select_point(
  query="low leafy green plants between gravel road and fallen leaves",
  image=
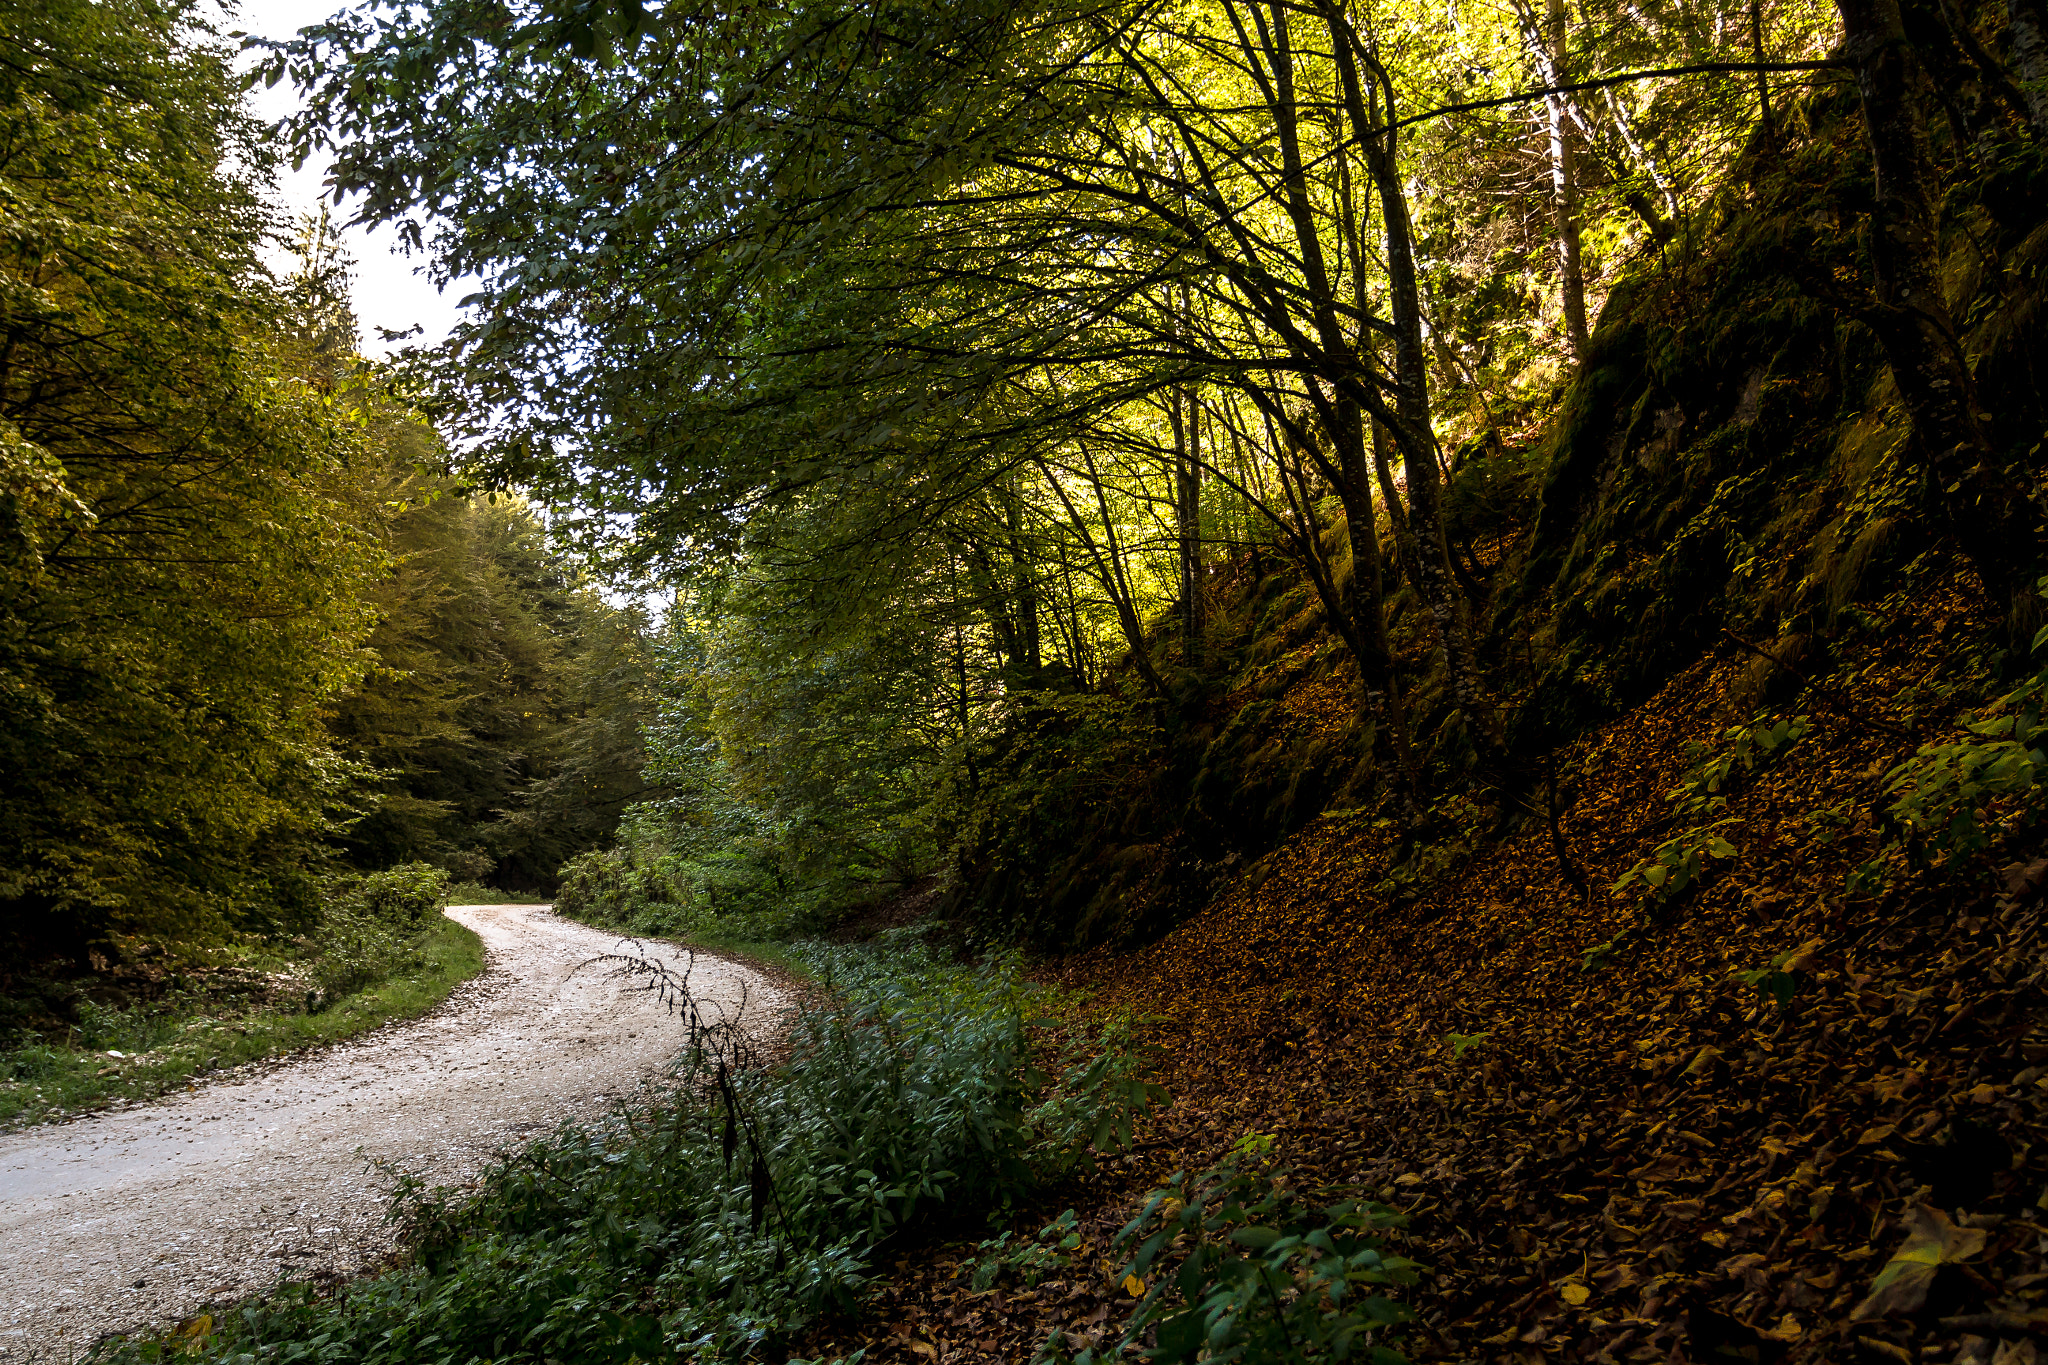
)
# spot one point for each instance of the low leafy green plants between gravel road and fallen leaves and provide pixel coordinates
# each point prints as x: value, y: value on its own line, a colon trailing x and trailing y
x: 734, y: 1213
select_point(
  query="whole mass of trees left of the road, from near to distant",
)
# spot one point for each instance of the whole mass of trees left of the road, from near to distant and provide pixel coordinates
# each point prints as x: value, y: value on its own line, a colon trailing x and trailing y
x: 212, y: 515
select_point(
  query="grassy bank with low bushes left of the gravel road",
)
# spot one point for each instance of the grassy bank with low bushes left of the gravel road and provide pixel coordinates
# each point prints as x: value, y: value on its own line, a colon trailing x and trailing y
x: 163, y: 1022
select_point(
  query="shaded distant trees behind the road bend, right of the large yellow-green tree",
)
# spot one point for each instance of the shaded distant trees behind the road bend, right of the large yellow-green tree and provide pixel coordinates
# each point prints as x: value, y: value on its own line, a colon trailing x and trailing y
x: 503, y: 721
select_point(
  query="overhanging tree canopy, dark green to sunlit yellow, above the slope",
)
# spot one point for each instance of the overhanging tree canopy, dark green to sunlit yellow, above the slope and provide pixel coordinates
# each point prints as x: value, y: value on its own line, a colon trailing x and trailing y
x: 933, y: 263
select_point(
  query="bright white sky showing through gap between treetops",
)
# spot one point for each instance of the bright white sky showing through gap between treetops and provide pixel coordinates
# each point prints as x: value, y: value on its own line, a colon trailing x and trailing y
x: 392, y: 290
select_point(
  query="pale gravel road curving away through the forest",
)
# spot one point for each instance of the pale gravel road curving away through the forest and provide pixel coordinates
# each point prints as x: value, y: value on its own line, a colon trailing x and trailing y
x: 132, y: 1219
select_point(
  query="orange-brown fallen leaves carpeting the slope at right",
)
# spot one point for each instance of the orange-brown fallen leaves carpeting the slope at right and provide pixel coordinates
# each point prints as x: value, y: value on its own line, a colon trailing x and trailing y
x: 1777, y: 1122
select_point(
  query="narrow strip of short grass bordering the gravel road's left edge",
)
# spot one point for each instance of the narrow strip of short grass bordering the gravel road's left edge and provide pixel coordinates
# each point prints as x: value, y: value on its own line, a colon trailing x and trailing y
x: 169, y: 1051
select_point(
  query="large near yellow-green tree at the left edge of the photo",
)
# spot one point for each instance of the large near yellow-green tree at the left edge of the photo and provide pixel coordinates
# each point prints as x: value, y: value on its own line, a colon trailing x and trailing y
x: 185, y: 547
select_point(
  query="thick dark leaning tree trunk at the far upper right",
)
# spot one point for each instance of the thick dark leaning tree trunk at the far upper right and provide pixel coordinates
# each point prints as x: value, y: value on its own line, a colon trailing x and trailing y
x: 1965, y: 482
